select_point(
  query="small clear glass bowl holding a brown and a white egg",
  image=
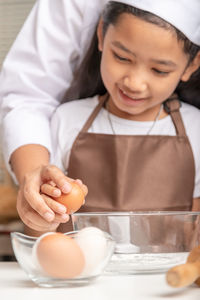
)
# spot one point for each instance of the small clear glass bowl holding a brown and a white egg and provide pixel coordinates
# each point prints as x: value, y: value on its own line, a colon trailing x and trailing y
x: 23, y: 250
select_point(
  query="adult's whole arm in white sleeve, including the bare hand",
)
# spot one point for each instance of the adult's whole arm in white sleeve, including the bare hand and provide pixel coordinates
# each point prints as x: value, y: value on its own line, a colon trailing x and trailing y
x: 34, y: 78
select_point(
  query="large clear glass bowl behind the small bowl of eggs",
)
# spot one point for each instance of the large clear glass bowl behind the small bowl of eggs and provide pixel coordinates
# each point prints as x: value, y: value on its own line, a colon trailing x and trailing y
x: 146, y: 242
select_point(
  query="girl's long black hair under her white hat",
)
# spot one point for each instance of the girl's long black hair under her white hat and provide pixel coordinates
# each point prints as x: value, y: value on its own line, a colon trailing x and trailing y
x: 87, y: 80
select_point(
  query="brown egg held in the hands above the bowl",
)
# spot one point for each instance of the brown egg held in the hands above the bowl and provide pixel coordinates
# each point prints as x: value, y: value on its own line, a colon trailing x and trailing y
x: 74, y: 200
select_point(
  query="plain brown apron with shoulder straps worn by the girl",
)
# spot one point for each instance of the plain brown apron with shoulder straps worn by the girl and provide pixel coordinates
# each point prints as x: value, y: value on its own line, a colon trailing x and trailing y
x: 134, y: 172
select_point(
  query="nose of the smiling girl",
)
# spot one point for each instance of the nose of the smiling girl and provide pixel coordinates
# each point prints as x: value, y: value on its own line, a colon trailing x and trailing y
x: 135, y: 83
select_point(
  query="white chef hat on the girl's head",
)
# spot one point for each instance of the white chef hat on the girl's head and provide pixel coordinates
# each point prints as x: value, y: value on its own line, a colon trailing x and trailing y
x: 183, y: 14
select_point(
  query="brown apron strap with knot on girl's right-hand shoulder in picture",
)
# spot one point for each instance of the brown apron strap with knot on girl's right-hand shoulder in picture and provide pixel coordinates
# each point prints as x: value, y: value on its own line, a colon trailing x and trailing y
x: 172, y: 106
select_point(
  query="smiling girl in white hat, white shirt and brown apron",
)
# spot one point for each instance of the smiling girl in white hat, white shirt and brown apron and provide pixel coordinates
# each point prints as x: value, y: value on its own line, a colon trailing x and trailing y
x: 132, y: 141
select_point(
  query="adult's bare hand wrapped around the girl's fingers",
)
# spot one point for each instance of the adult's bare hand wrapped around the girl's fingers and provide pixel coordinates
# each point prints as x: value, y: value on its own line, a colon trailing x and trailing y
x: 38, y: 211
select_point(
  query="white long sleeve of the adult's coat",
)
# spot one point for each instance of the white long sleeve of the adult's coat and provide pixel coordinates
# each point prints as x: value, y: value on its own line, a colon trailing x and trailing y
x: 39, y: 67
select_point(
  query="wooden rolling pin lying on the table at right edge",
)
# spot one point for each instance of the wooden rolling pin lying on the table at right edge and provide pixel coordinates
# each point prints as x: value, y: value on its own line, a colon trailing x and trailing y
x: 188, y: 273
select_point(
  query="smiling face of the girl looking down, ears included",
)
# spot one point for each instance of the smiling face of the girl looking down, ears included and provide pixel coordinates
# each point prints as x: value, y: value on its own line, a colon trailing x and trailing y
x: 141, y: 66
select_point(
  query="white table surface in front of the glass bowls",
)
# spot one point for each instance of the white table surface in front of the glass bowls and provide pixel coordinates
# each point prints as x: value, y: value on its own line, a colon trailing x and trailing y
x: 15, y: 284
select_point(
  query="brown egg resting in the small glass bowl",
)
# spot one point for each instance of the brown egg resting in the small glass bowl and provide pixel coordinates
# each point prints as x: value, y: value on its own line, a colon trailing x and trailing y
x: 59, y: 256
